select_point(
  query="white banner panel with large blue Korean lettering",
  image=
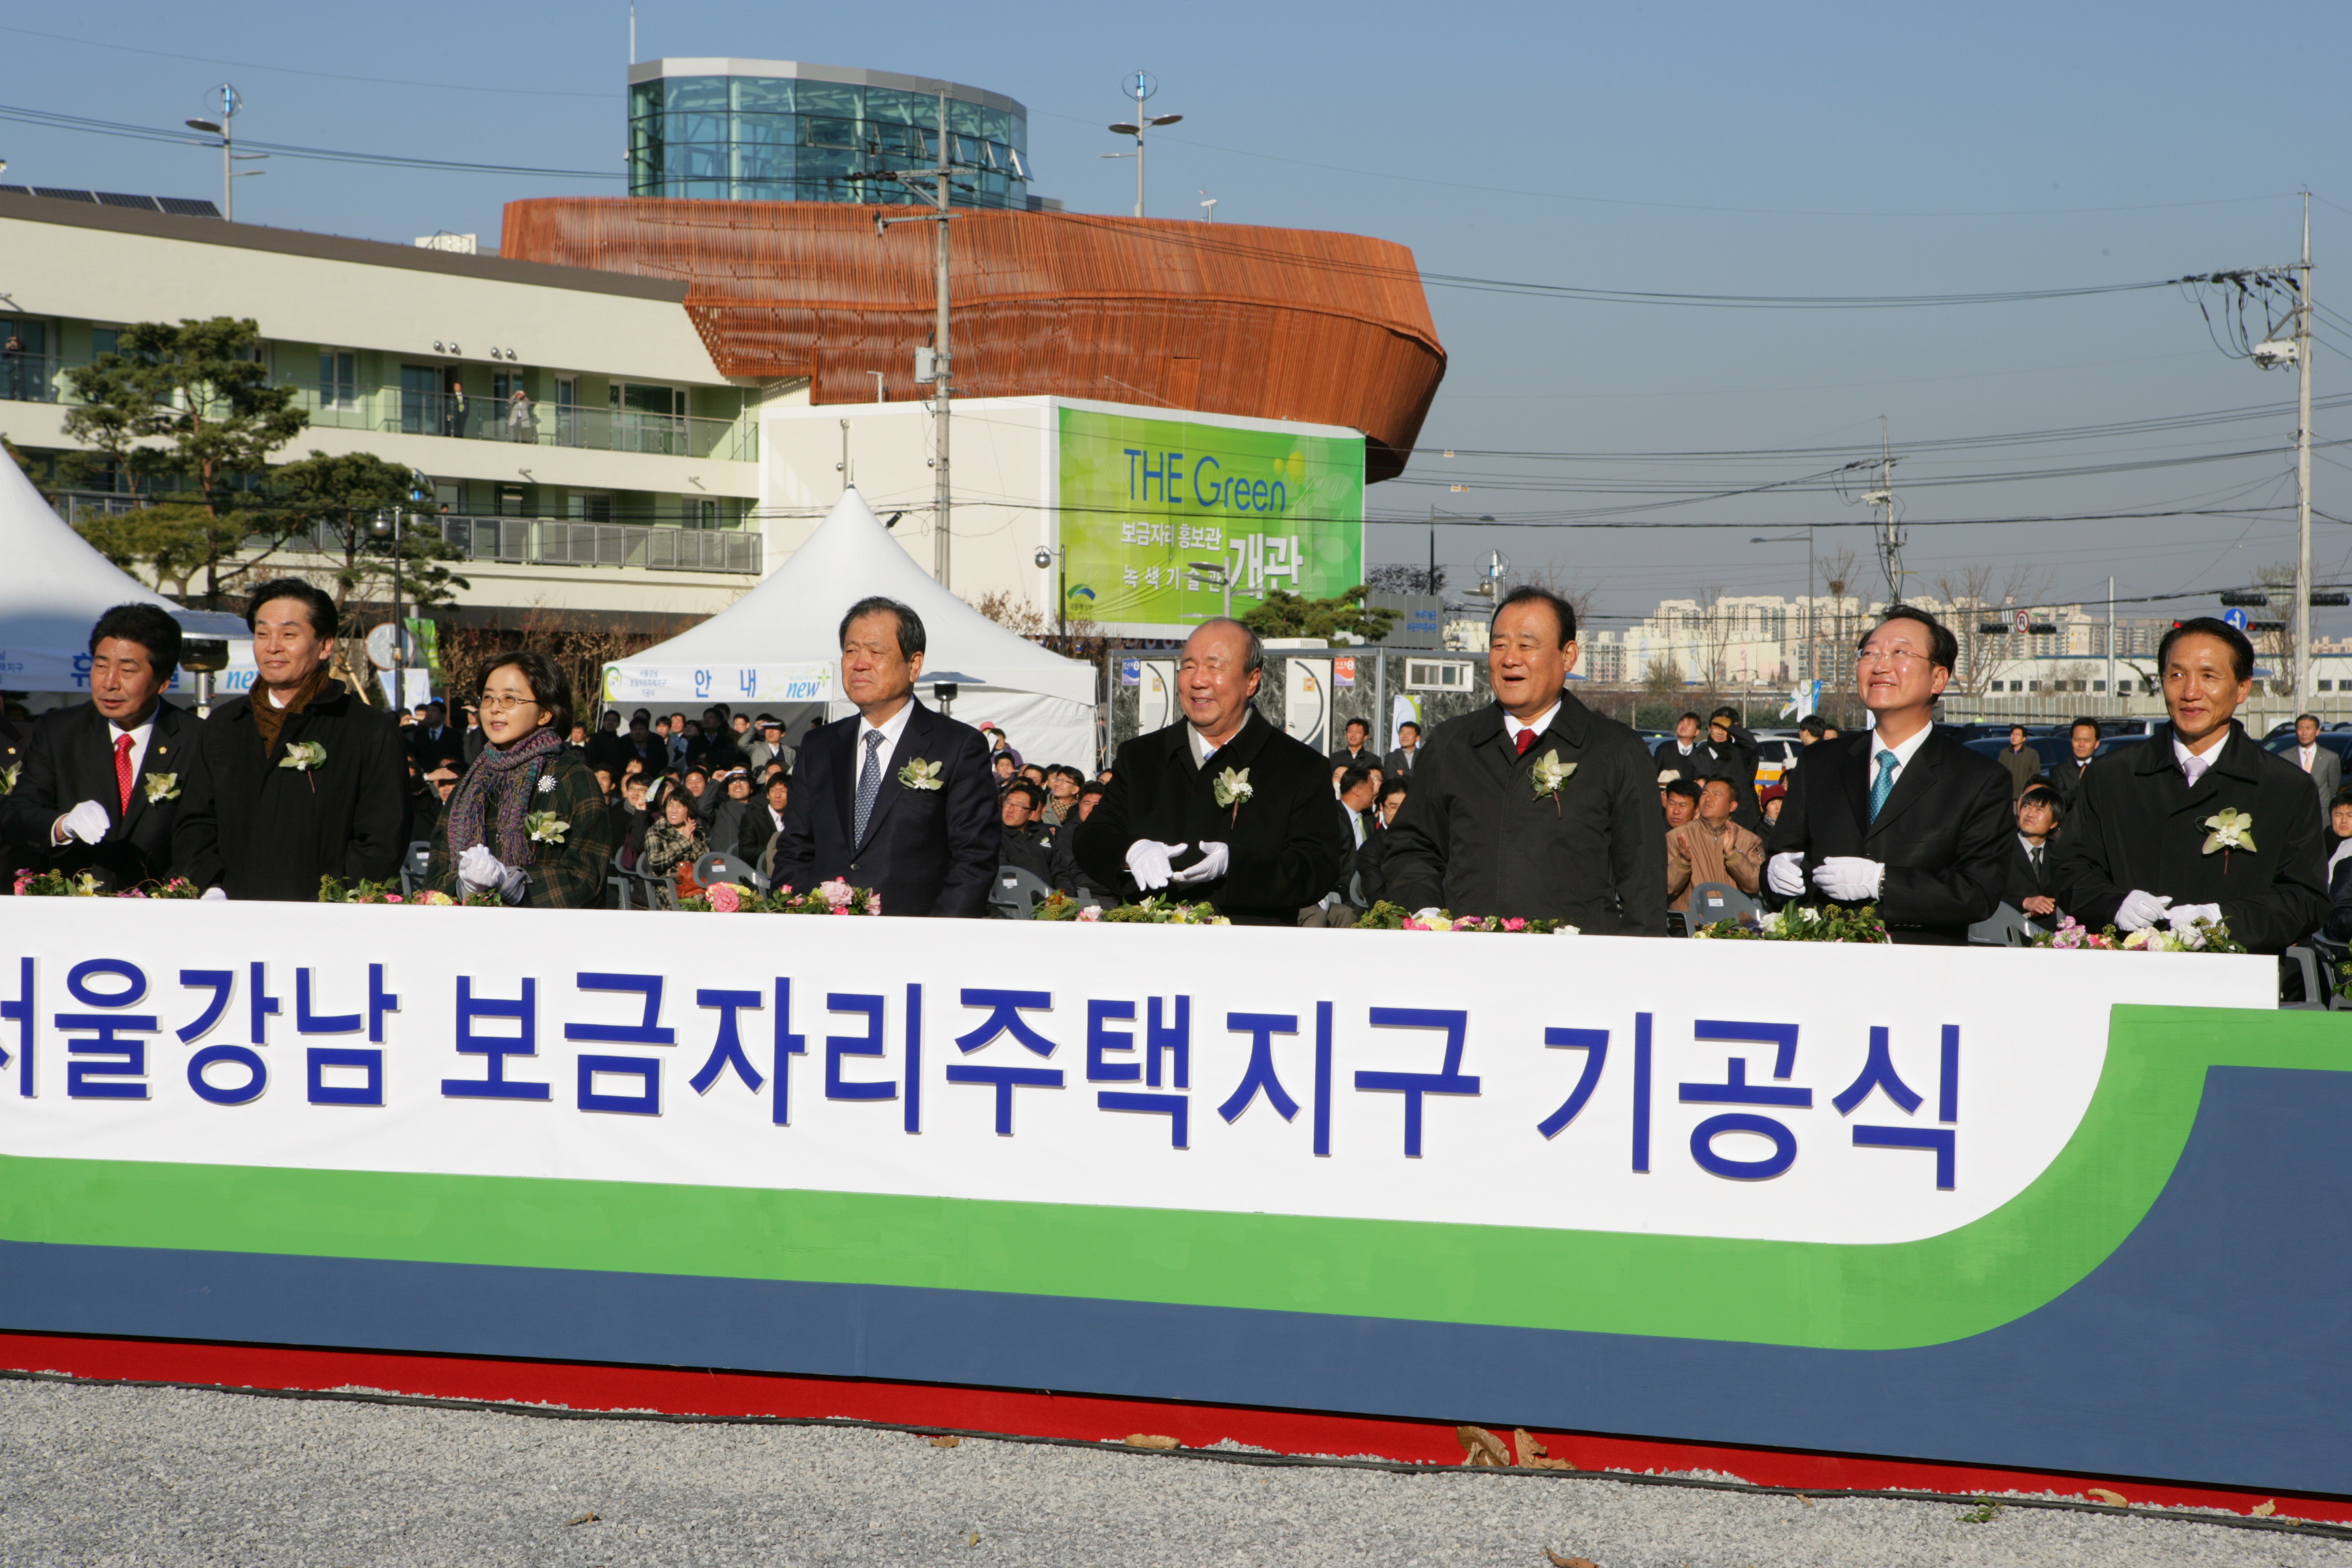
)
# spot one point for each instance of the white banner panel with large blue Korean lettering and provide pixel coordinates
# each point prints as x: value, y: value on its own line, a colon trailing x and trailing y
x: 1711, y: 1090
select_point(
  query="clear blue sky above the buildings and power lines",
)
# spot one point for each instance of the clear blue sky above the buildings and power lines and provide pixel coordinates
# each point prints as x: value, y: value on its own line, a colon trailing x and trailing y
x: 1704, y: 149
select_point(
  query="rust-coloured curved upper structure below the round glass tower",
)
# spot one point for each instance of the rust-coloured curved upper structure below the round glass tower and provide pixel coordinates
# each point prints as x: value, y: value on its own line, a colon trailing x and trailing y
x: 1222, y: 319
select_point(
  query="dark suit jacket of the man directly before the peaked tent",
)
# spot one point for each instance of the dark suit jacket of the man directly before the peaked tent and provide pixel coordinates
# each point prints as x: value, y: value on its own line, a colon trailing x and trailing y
x: 928, y: 852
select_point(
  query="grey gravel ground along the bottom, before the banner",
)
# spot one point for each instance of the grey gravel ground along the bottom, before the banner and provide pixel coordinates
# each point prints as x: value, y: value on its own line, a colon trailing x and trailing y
x: 102, y: 1475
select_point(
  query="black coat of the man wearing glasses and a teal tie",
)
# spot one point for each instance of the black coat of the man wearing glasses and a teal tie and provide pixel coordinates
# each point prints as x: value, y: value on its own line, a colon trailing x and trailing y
x: 1944, y: 836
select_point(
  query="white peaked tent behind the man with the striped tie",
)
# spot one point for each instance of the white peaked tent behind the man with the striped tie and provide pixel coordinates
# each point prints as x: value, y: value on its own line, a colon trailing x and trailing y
x: 780, y: 648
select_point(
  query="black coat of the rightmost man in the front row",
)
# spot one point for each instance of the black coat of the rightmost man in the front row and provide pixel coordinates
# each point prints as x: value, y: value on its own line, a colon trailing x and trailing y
x: 2139, y: 826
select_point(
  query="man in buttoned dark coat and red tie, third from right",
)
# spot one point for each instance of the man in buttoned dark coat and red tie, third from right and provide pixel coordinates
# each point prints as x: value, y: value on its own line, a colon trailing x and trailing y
x: 1483, y: 836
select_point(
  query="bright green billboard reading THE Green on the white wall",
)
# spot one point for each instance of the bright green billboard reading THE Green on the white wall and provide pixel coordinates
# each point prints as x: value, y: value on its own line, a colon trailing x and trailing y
x: 1147, y: 502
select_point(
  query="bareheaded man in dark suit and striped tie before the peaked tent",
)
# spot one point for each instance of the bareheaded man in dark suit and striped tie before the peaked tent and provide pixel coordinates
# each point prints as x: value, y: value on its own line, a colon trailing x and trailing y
x: 900, y: 798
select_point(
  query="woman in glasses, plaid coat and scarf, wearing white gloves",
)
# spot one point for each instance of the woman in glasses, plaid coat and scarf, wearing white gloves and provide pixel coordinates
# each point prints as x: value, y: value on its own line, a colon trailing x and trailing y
x: 528, y: 819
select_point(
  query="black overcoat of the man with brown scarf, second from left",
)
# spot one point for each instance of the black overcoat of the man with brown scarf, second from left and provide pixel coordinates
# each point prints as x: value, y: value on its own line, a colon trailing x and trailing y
x: 265, y: 831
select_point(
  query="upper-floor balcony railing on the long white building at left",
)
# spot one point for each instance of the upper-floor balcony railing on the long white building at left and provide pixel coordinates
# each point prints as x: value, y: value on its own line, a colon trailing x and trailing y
x: 27, y: 377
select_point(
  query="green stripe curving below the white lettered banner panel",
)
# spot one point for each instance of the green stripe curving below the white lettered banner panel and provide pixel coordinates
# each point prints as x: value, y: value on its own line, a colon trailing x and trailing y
x: 1605, y: 1282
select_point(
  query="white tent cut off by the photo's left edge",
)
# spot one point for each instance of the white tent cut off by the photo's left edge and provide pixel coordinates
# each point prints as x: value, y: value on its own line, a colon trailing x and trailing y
x: 53, y: 591
